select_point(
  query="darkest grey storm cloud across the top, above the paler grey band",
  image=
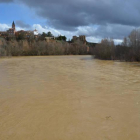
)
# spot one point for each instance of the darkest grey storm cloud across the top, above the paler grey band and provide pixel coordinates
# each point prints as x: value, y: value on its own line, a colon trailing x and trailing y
x: 74, y: 13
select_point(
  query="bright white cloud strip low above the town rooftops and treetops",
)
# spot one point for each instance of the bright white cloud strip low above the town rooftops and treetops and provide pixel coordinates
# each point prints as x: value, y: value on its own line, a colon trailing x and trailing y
x: 90, y: 32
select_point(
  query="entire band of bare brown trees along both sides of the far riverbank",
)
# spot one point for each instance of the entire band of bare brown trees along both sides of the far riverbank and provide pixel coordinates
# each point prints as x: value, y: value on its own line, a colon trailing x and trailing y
x: 129, y: 50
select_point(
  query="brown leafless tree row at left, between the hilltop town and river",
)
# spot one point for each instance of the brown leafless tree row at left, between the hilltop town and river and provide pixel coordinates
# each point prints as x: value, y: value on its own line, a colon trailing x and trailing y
x: 40, y: 47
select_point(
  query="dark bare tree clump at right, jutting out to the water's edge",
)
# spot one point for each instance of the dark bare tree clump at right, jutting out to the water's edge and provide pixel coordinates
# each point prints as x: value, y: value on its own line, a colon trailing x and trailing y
x: 129, y: 50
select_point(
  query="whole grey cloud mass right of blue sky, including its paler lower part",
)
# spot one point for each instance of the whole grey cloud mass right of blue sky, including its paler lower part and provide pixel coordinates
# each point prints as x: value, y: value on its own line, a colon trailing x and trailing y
x: 115, y: 18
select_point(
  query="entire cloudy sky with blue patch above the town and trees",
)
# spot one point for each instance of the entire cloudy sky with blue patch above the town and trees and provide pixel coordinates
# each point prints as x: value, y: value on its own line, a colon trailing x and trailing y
x: 96, y: 19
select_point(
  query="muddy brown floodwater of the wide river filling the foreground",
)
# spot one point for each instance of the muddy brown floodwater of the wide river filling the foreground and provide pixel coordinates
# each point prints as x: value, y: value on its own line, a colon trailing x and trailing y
x: 69, y: 98
